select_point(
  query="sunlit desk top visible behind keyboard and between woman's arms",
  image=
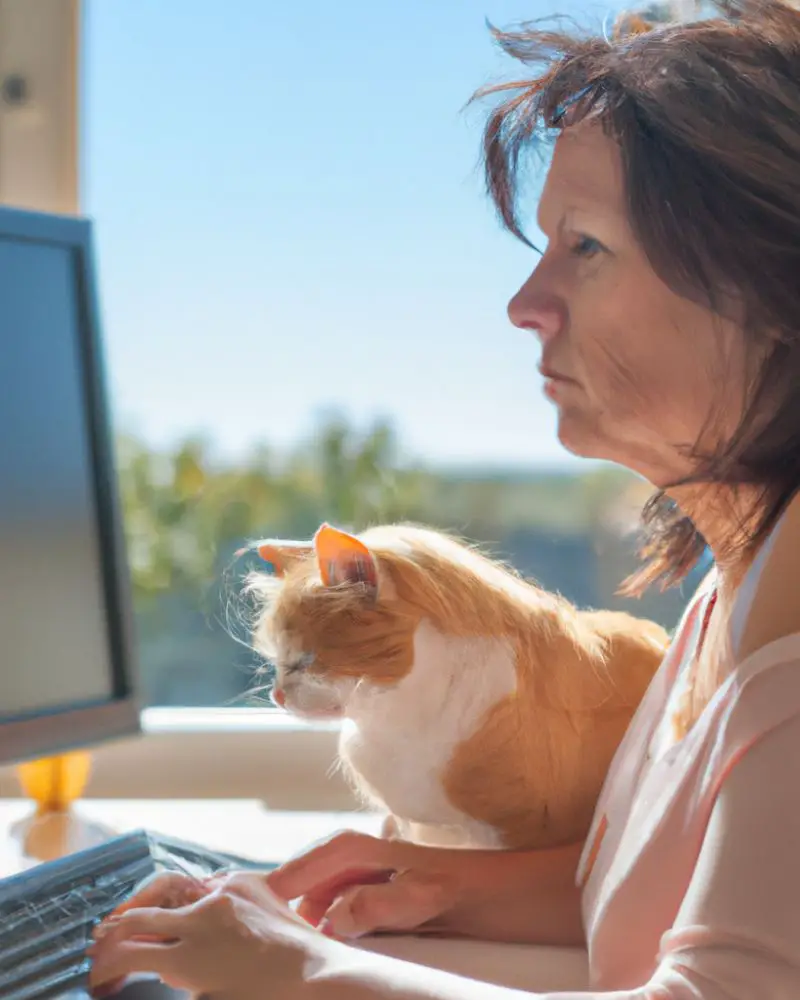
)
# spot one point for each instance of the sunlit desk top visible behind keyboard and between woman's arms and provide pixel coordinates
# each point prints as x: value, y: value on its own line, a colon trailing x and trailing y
x: 247, y: 828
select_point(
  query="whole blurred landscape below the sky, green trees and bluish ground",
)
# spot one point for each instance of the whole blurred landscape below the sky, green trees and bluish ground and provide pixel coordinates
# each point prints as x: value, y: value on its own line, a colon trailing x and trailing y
x: 187, y: 512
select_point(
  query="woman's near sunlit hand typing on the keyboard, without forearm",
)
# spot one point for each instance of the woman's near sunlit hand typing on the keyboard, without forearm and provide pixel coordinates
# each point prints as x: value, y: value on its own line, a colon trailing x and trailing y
x: 227, y: 935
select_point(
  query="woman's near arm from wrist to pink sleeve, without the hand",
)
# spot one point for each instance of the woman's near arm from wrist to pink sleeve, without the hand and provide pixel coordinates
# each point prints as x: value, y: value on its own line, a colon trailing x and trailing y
x: 737, y: 936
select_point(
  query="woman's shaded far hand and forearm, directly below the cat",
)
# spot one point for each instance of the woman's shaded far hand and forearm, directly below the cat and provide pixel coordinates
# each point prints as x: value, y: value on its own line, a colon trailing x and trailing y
x: 355, y: 884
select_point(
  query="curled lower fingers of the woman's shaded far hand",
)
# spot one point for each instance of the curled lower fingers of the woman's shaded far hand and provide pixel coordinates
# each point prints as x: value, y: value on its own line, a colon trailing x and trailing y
x: 406, y: 903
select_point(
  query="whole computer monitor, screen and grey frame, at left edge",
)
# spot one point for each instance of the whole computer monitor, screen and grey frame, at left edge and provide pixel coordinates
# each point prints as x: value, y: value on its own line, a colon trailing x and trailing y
x: 66, y: 663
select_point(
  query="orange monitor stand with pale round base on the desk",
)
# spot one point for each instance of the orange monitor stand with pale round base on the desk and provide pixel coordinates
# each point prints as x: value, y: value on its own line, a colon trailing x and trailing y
x: 55, y: 828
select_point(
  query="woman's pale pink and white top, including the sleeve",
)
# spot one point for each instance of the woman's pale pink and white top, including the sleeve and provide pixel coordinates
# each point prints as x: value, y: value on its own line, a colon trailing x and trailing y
x: 691, y: 872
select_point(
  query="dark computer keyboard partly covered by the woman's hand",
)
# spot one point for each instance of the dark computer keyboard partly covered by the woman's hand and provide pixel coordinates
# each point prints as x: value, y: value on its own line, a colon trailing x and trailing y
x: 48, y: 912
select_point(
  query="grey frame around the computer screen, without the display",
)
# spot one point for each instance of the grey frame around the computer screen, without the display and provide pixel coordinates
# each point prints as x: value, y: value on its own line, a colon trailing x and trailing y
x: 52, y: 731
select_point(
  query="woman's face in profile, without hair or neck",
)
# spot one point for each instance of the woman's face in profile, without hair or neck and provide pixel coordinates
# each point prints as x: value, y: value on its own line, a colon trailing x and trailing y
x: 638, y: 374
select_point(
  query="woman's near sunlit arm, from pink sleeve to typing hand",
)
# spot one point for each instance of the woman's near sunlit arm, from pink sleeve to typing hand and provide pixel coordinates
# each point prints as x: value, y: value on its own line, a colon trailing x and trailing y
x: 737, y: 936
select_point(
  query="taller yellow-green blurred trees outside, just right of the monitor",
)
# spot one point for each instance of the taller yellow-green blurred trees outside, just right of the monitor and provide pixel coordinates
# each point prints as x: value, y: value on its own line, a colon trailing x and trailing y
x: 184, y: 511
